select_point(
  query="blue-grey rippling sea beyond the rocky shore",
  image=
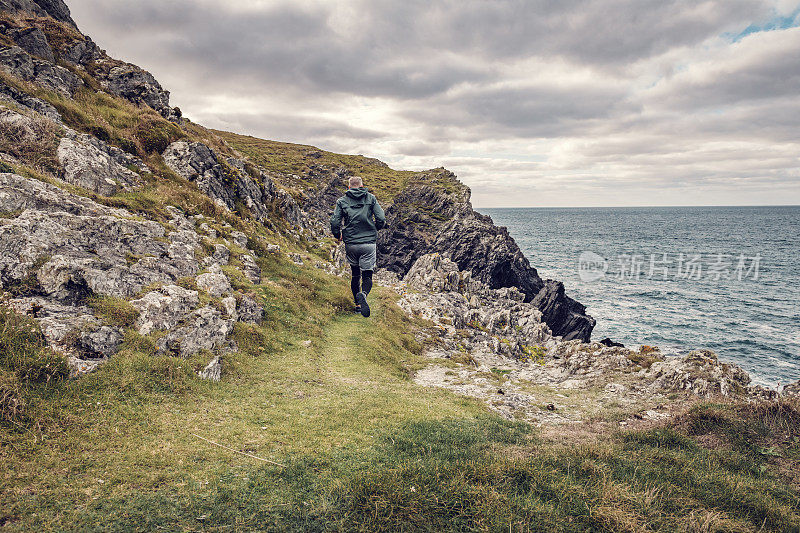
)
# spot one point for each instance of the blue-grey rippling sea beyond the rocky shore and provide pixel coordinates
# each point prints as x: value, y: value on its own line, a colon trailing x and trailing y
x: 680, y: 278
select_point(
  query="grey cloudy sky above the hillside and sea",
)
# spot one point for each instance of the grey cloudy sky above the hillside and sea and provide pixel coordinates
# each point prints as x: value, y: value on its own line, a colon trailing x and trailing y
x: 530, y: 102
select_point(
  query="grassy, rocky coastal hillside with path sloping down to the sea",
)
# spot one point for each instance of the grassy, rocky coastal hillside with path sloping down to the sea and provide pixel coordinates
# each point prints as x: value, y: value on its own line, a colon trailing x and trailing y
x: 178, y: 349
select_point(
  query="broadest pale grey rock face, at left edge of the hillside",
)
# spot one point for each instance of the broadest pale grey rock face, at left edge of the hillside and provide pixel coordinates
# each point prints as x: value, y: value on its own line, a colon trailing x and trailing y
x: 75, y: 247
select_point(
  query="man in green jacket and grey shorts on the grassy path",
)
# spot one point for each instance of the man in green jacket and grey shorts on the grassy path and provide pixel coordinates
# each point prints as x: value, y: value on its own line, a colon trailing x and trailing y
x: 356, y: 219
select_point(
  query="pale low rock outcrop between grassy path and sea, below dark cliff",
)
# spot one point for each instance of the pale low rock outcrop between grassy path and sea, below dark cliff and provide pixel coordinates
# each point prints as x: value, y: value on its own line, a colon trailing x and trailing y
x: 494, y: 346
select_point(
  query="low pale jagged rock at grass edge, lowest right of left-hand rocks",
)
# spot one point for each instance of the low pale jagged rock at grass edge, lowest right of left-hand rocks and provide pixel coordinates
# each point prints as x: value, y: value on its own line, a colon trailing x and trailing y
x: 206, y: 330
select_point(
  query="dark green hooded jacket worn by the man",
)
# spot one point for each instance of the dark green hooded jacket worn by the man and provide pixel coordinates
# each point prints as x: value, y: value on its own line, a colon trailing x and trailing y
x: 353, y: 217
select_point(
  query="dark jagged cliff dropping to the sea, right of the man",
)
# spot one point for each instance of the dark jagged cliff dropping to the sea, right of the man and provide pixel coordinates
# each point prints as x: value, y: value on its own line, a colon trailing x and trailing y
x: 425, y: 219
